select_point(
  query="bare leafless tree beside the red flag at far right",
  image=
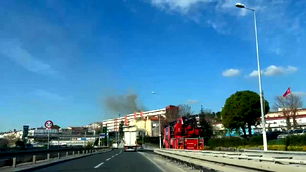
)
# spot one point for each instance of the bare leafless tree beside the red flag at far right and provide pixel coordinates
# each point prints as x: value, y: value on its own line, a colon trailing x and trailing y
x: 289, y: 106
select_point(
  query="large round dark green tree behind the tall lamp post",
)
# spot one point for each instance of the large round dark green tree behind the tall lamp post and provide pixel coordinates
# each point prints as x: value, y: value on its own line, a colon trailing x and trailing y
x: 242, y: 110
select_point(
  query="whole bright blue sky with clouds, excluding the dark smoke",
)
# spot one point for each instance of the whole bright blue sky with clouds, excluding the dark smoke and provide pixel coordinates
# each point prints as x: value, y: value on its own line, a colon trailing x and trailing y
x: 60, y: 59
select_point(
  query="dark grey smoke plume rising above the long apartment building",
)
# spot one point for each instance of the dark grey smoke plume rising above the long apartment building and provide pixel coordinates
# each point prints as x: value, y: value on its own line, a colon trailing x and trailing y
x: 124, y: 104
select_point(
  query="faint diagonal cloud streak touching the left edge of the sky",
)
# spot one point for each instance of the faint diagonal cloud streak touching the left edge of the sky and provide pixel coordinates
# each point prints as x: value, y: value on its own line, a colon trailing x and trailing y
x: 12, y: 49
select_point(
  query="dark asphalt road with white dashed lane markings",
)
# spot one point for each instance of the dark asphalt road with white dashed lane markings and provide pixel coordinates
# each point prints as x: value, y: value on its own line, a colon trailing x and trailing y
x: 113, y: 161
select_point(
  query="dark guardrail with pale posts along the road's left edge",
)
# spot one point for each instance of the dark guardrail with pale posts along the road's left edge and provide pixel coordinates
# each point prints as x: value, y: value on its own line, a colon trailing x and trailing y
x: 14, y: 159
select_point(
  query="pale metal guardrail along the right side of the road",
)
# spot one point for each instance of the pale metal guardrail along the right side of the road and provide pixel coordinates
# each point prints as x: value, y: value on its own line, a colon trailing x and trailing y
x: 217, y: 160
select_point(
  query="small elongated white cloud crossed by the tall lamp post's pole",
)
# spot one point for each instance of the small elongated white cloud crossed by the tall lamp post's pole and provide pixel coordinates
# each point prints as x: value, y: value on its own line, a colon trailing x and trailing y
x: 273, y: 70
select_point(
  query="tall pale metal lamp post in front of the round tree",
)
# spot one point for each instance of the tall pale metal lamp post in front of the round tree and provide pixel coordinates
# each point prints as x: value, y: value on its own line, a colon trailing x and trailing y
x: 239, y: 5
